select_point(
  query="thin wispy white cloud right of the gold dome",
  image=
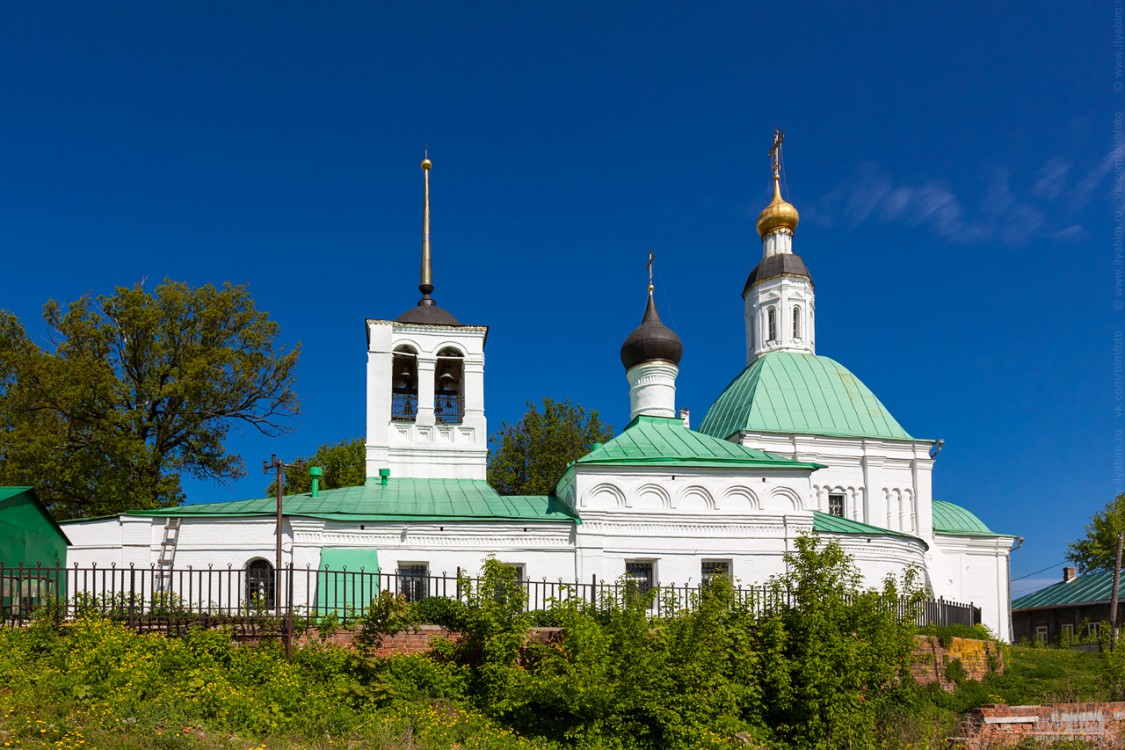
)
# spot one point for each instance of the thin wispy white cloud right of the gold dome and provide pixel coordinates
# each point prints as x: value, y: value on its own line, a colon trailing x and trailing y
x: 1000, y: 211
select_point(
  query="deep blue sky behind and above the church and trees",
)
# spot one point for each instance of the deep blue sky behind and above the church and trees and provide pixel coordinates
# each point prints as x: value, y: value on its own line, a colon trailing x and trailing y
x: 955, y: 169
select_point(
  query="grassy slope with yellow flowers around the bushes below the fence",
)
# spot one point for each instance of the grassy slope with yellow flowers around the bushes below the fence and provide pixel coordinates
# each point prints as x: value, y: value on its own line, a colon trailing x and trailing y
x: 102, y: 686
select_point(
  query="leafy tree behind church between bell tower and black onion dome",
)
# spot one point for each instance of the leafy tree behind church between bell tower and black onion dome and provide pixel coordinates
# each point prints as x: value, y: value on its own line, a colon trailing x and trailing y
x: 530, y: 457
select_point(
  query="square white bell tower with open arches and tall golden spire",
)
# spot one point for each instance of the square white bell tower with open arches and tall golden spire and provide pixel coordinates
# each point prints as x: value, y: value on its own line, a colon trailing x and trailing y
x: 426, y: 395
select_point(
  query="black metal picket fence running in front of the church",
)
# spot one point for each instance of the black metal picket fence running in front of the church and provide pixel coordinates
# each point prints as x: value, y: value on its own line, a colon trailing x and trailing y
x: 257, y: 600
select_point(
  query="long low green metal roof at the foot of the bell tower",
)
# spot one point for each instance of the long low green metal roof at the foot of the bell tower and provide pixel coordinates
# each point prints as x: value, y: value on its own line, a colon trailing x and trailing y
x: 401, y: 500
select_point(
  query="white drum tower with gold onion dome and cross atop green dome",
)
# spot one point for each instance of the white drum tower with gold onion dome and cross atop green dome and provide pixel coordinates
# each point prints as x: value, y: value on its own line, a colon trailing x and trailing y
x: 779, y: 294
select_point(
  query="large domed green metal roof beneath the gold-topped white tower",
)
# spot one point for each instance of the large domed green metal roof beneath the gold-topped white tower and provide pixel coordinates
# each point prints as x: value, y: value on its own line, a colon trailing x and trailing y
x: 800, y: 394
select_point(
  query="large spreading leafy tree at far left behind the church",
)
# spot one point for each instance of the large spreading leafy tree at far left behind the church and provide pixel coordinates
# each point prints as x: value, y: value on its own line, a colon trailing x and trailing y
x: 136, y: 390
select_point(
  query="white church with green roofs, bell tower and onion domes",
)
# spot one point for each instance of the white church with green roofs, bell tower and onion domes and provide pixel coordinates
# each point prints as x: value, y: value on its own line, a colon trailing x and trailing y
x: 795, y: 445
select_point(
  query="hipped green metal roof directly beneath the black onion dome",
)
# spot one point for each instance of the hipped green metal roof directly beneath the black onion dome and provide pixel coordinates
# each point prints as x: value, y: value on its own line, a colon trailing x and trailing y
x: 667, y: 441
